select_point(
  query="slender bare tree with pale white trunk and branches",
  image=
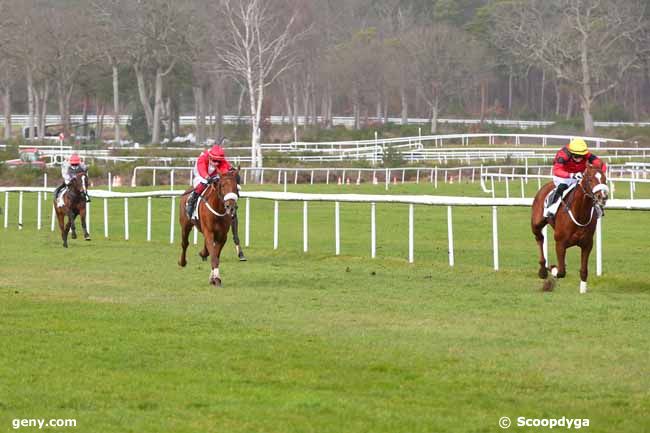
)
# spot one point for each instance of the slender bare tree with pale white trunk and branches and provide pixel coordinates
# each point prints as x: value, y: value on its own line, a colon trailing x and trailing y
x: 254, y: 48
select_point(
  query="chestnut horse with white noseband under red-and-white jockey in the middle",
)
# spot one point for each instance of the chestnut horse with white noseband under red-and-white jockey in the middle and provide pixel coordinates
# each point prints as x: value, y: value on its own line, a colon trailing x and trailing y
x: 216, y: 210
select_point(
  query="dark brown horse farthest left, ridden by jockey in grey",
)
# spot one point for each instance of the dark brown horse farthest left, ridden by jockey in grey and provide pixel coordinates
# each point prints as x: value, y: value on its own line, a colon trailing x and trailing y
x: 74, y: 200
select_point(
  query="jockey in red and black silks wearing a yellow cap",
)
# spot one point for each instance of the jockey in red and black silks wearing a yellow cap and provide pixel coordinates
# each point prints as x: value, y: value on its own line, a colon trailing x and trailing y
x: 568, y: 165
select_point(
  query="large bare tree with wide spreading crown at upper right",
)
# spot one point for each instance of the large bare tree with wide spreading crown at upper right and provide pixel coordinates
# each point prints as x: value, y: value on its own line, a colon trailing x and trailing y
x: 589, y: 44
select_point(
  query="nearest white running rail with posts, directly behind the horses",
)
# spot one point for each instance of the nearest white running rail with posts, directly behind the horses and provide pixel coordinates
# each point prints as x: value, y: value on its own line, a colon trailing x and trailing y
x: 335, y: 199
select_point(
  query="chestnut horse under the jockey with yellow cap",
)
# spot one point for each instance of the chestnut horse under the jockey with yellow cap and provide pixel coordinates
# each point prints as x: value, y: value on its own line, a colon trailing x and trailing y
x: 574, y: 223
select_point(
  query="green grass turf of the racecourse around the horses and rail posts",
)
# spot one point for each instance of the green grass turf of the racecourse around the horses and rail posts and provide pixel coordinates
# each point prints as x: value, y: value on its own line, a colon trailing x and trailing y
x: 113, y: 334
